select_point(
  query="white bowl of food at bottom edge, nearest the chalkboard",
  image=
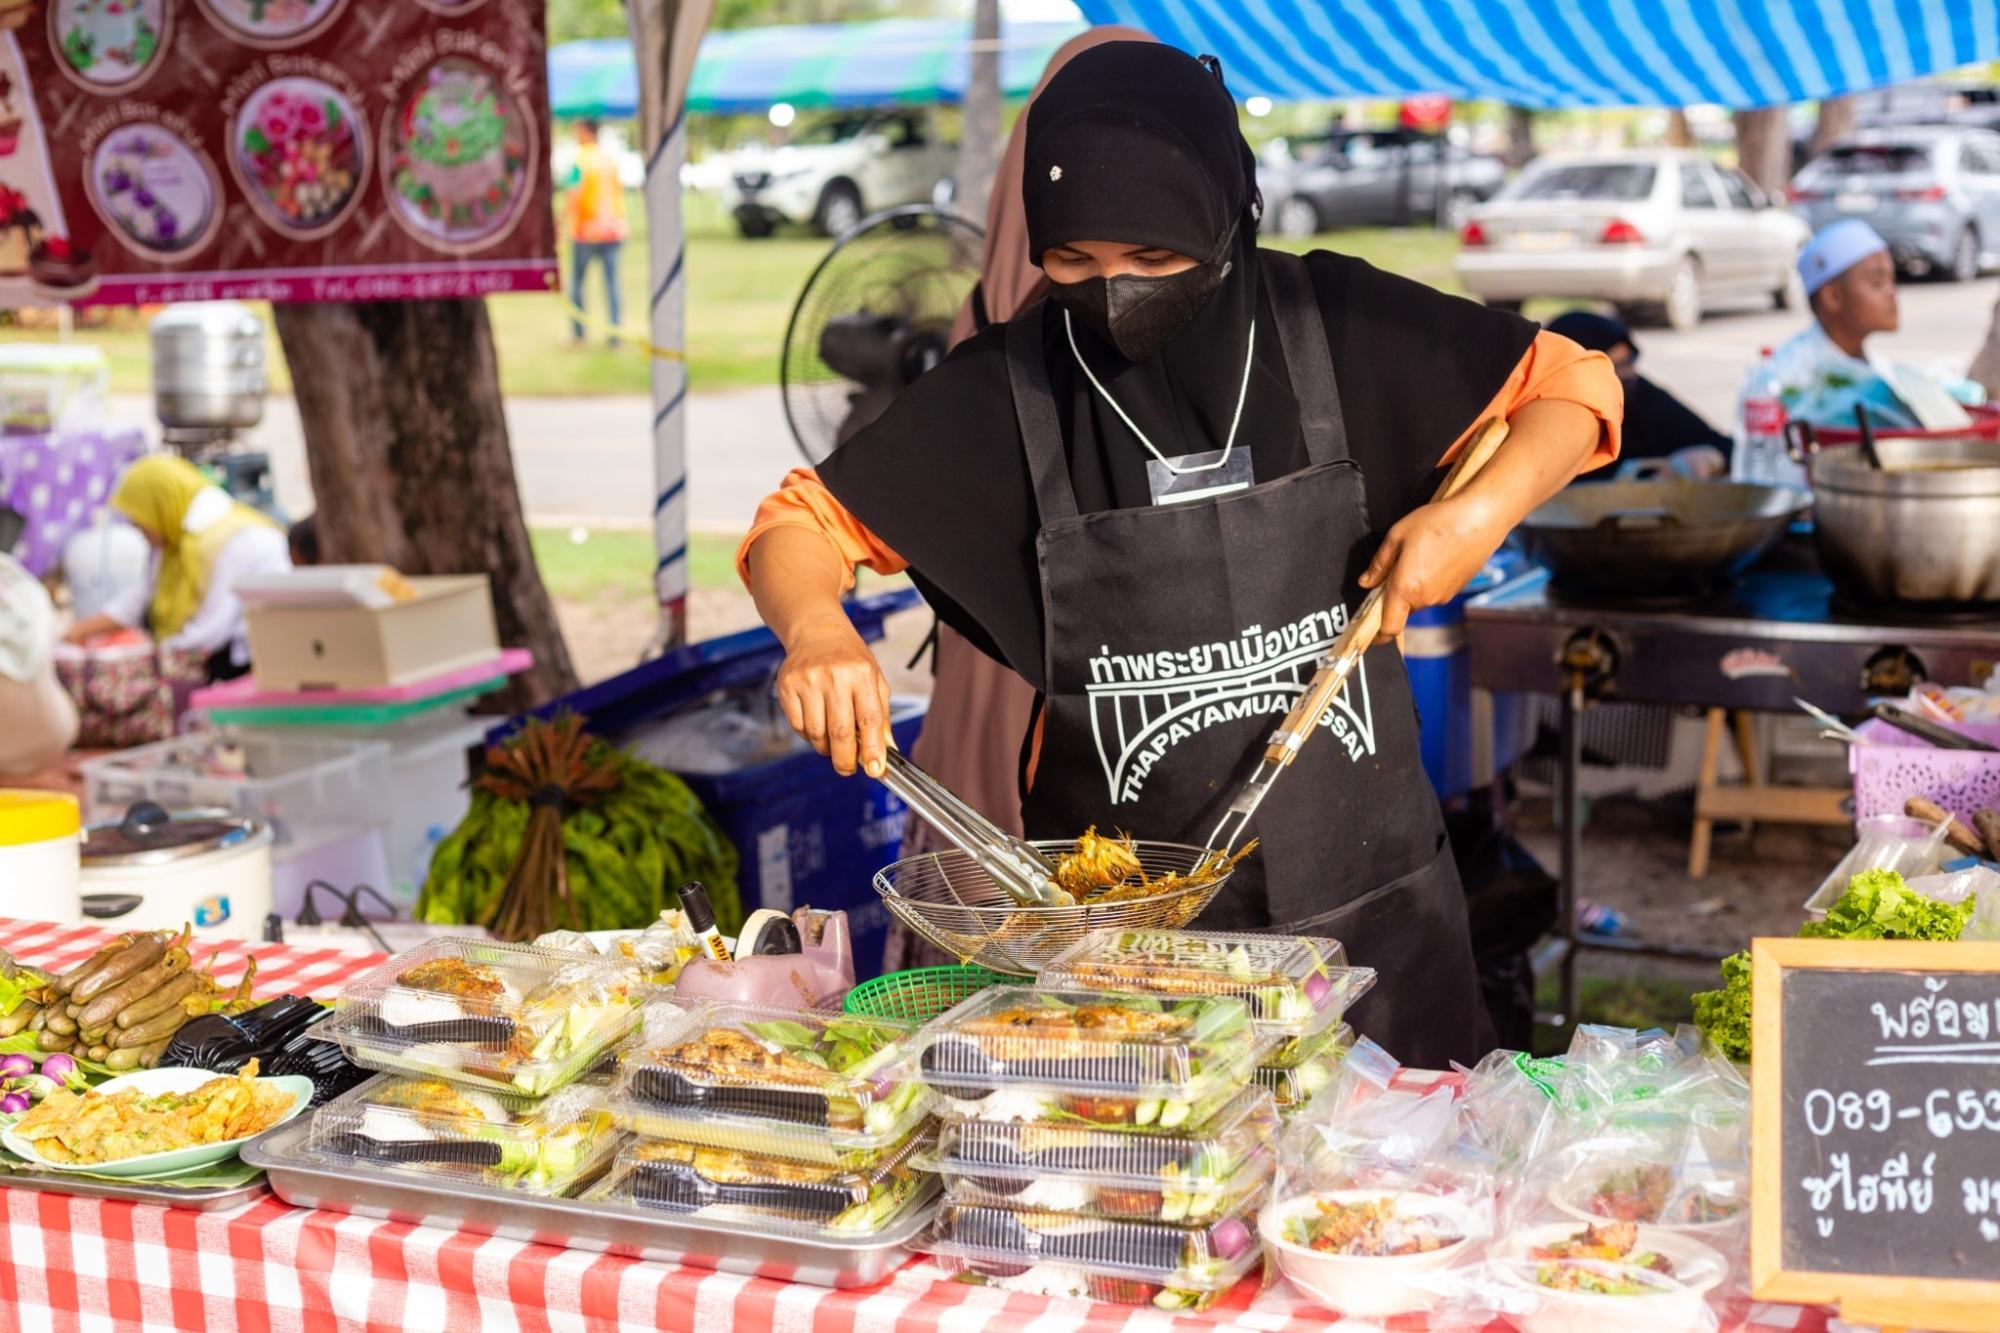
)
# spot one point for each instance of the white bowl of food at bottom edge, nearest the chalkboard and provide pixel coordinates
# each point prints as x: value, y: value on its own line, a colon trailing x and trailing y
x: 1613, y: 1278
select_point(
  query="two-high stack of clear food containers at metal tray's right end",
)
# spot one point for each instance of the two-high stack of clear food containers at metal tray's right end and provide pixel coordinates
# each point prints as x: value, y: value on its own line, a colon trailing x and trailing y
x: 777, y: 1122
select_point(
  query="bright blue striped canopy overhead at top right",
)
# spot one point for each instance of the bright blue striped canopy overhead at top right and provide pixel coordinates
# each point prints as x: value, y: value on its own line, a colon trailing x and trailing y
x: 1571, y: 53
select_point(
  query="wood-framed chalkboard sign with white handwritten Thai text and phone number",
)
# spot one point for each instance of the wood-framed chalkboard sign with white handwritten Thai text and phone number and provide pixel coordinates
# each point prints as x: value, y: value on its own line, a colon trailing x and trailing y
x: 1877, y: 1128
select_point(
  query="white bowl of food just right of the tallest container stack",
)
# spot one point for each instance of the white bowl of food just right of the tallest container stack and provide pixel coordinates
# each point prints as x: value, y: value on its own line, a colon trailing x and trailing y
x: 1381, y: 1248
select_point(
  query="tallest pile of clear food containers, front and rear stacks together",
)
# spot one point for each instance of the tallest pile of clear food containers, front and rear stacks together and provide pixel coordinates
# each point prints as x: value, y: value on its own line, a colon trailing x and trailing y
x: 1111, y: 1134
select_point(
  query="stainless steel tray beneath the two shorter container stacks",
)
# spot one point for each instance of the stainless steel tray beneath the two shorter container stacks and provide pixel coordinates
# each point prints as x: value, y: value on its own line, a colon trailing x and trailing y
x: 595, y: 1226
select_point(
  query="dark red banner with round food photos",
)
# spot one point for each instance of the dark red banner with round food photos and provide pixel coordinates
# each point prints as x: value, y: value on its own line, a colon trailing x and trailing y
x: 273, y: 149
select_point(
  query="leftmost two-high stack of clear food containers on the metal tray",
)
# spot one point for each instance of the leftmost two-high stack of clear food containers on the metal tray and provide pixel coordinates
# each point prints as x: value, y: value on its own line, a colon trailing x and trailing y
x: 489, y: 1056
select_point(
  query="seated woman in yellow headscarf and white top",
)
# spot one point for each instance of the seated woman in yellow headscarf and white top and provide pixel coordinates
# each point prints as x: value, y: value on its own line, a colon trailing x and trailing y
x: 205, y: 545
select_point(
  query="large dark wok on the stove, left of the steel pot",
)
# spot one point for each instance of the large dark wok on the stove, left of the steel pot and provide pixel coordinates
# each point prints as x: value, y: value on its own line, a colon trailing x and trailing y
x: 1659, y: 537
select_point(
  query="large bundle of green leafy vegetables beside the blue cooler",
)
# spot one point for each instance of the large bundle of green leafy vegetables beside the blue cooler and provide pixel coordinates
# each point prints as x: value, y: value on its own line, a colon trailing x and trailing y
x: 639, y: 832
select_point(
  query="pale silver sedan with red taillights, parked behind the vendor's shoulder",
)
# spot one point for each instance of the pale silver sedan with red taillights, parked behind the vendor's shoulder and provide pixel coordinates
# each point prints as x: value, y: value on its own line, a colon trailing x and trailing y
x: 1659, y: 231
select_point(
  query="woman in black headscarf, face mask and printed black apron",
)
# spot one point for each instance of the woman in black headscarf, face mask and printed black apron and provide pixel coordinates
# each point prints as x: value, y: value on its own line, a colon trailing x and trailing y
x: 1159, y: 493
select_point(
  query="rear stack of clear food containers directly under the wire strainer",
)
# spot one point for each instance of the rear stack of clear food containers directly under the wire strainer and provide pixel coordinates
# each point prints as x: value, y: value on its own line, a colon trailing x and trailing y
x: 1299, y: 990
